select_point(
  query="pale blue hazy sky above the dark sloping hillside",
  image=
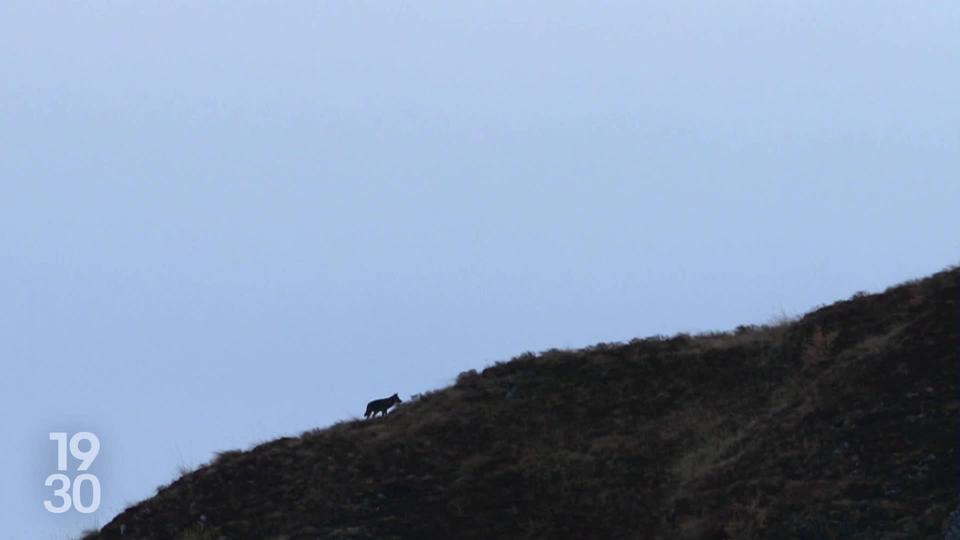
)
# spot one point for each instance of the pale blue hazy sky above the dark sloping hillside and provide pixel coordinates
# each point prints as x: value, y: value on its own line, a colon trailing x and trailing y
x: 225, y: 222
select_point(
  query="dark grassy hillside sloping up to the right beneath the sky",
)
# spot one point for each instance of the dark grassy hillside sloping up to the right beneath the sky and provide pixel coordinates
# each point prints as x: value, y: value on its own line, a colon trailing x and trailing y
x: 840, y: 424
